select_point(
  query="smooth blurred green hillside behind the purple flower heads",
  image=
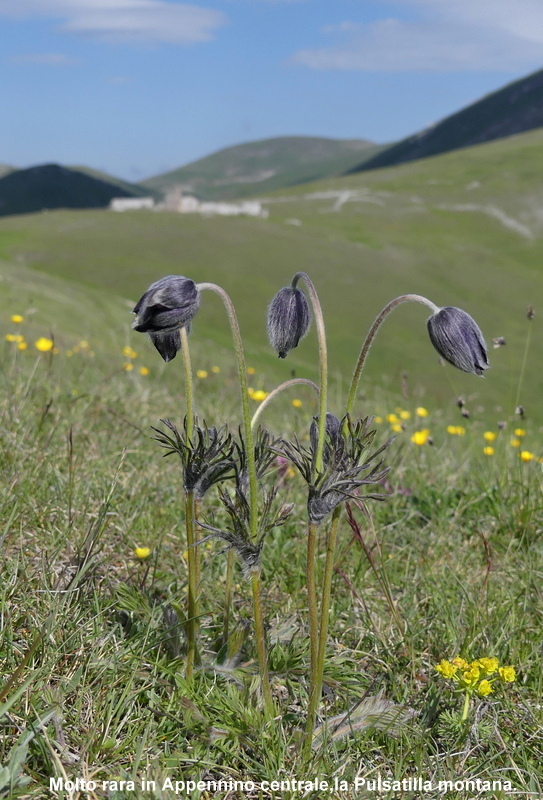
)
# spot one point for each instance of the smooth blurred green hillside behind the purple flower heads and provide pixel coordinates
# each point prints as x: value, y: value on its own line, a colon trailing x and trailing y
x: 463, y: 229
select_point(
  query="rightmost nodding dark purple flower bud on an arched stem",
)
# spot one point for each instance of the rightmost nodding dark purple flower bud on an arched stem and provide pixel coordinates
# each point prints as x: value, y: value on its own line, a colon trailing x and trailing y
x: 458, y: 339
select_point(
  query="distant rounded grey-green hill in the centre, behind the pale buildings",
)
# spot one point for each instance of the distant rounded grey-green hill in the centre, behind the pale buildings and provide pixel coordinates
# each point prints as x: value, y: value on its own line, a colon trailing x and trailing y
x: 263, y: 166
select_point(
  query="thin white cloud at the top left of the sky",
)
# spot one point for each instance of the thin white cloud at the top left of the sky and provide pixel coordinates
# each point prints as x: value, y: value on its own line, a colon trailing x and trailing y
x: 124, y: 20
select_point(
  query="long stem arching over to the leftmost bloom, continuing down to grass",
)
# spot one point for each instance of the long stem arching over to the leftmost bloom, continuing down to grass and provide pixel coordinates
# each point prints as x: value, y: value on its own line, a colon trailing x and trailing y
x: 253, y: 498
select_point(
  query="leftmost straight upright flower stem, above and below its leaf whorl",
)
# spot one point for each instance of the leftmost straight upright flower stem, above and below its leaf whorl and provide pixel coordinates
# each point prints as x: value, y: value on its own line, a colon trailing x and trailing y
x: 193, y: 554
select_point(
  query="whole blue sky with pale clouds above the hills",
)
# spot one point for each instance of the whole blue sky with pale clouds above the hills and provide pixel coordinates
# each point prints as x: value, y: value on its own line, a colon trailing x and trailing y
x: 139, y: 87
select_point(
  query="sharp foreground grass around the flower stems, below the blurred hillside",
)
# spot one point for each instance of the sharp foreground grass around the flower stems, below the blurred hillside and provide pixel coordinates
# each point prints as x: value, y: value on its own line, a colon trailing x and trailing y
x: 455, y: 567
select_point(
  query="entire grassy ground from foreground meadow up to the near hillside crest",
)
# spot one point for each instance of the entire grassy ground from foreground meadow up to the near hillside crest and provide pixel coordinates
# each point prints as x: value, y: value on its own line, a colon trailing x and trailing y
x: 92, y: 637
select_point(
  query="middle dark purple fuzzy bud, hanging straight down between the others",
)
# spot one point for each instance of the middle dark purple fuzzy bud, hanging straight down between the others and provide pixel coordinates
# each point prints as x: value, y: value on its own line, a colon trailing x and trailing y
x: 288, y: 320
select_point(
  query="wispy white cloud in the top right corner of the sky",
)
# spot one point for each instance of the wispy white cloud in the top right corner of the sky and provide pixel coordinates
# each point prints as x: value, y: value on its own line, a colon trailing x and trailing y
x: 481, y: 35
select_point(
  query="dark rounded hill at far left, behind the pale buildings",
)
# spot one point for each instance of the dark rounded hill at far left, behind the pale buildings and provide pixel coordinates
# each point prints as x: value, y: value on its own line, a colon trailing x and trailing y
x: 51, y: 186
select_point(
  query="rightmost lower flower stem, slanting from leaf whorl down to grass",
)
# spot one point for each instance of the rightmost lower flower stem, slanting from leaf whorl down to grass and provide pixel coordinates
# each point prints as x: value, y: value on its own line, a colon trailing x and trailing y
x: 316, y: 687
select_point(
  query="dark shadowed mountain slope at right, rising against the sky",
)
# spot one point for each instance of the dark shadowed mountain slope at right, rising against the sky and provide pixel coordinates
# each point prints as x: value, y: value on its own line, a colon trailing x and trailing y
x: 516, y: 108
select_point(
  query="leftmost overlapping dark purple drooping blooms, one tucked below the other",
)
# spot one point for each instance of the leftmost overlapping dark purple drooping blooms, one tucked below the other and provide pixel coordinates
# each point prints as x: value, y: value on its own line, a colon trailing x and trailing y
x: 167, y: 306
